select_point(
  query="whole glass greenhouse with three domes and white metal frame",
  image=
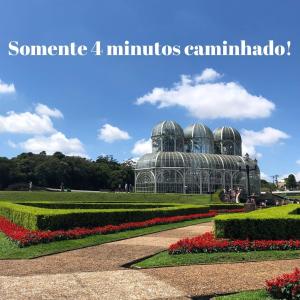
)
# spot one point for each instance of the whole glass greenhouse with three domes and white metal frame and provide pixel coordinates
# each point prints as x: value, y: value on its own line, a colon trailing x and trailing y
x: 195, y: 161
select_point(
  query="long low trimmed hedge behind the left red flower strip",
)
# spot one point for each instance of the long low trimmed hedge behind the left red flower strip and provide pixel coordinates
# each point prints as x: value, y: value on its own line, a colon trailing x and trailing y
x: 54, y: 219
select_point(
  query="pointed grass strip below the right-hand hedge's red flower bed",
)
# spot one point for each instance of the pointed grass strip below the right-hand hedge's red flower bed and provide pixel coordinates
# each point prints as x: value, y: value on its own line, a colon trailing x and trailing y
x: 164, y: 259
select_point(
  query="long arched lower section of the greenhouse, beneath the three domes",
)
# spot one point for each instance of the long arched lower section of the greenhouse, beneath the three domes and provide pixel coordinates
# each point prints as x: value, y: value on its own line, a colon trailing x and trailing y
x: 176, y: 172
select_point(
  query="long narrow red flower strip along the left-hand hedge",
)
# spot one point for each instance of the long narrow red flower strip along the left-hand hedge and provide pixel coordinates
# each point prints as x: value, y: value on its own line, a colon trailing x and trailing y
x: 25, y: 237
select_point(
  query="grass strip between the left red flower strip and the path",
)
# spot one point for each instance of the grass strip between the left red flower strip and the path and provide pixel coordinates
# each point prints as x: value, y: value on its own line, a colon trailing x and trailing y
x: 10, y: 250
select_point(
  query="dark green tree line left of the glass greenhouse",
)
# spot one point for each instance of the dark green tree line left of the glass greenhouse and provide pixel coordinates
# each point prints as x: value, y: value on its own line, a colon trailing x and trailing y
x: 104, y: 173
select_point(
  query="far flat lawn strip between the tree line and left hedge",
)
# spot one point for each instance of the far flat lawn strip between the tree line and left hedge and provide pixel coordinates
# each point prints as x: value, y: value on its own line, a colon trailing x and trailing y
x: 105, y: 197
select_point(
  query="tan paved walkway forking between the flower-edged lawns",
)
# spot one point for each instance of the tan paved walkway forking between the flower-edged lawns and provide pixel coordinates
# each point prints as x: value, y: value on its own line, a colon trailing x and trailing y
x: 97, y: 272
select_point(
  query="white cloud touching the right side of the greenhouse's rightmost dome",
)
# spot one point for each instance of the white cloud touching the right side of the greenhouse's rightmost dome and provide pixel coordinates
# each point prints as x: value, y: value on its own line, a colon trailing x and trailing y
x: 266, y: 137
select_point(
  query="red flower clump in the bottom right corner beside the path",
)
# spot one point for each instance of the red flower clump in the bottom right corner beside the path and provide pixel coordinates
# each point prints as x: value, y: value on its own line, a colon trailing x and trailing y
x: 285, y: 286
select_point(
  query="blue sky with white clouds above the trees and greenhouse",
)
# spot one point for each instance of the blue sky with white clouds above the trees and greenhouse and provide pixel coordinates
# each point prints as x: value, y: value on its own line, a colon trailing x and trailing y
x: 62, y: 103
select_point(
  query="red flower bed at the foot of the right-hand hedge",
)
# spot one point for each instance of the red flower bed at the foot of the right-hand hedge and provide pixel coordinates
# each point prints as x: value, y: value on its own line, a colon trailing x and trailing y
x: 207, y: 243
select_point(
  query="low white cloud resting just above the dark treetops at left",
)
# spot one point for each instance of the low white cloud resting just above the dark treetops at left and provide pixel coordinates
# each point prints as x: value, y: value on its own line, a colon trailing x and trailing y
x: 55, y: 142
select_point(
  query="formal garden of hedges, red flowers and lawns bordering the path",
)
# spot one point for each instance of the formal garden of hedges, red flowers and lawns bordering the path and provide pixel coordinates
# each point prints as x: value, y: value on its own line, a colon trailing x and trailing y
x: 34, y: 224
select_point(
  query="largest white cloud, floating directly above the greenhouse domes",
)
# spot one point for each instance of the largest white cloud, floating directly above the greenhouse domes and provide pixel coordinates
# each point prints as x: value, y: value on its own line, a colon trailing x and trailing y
x: 210, y: 100
